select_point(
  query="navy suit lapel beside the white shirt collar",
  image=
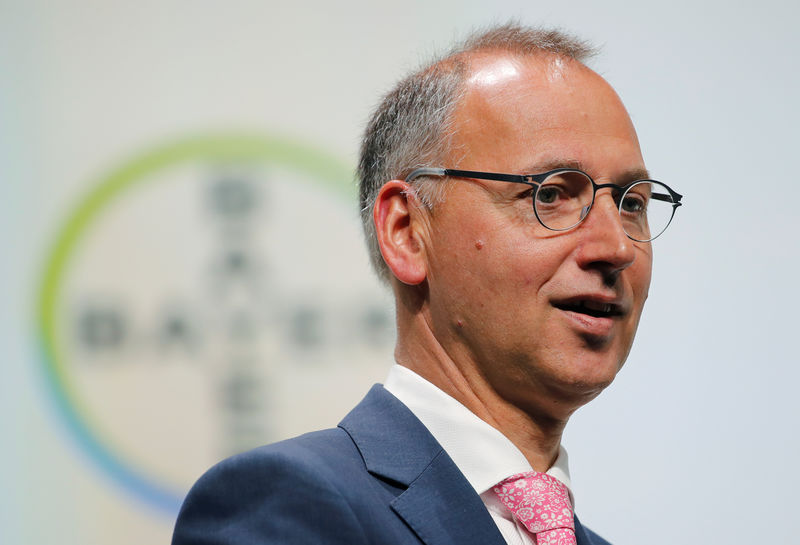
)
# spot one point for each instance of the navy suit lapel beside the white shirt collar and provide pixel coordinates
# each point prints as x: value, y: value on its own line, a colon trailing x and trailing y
x: 439, y: 504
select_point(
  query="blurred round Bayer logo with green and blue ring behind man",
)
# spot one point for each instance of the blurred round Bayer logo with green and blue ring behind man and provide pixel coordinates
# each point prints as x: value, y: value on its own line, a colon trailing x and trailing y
x: 206, y: 298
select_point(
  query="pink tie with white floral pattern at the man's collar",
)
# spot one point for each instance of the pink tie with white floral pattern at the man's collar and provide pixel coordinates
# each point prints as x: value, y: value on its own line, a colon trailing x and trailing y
x: 541, y: 503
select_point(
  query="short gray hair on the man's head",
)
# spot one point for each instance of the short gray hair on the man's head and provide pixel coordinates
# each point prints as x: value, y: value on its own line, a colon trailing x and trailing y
x: 412, y: 125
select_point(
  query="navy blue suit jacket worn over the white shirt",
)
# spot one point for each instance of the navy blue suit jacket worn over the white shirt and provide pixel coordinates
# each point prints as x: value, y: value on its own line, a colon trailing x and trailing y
x: 378, y: 478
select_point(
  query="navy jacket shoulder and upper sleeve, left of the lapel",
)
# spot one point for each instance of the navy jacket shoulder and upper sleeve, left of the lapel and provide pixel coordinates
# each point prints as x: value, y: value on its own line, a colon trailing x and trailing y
x: 288, y: 492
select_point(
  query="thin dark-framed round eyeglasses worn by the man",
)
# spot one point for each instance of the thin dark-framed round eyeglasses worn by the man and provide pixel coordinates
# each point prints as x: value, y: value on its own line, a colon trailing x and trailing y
x: 563, y: 197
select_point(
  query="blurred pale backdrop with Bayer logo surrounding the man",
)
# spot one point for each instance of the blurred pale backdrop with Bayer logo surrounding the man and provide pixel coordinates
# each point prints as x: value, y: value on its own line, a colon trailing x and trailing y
x: 183, y: 274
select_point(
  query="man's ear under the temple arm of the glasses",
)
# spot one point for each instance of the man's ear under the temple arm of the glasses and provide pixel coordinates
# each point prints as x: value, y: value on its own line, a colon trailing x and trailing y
x: 396, y: 216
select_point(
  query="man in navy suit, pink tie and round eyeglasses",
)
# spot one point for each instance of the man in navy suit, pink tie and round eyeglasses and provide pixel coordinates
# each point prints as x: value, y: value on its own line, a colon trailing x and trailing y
x: 502, y: 203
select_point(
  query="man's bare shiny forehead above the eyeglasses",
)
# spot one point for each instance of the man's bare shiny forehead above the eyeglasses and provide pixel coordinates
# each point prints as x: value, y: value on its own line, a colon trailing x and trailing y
x: 520, y: 111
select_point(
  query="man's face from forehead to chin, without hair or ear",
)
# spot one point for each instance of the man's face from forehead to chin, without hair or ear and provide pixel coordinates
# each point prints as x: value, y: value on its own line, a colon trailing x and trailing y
x: 518, y: 307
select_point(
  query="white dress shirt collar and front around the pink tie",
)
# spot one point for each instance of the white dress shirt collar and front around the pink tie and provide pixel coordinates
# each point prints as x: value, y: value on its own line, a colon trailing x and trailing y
x: 483, y: 454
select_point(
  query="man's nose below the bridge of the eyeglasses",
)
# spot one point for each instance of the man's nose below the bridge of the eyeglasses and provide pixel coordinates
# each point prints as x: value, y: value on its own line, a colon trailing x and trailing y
x: 604, y: 246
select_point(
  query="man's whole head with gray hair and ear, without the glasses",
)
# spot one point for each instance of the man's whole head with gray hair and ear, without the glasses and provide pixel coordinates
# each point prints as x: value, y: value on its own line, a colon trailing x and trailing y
x: 543, y: 319
